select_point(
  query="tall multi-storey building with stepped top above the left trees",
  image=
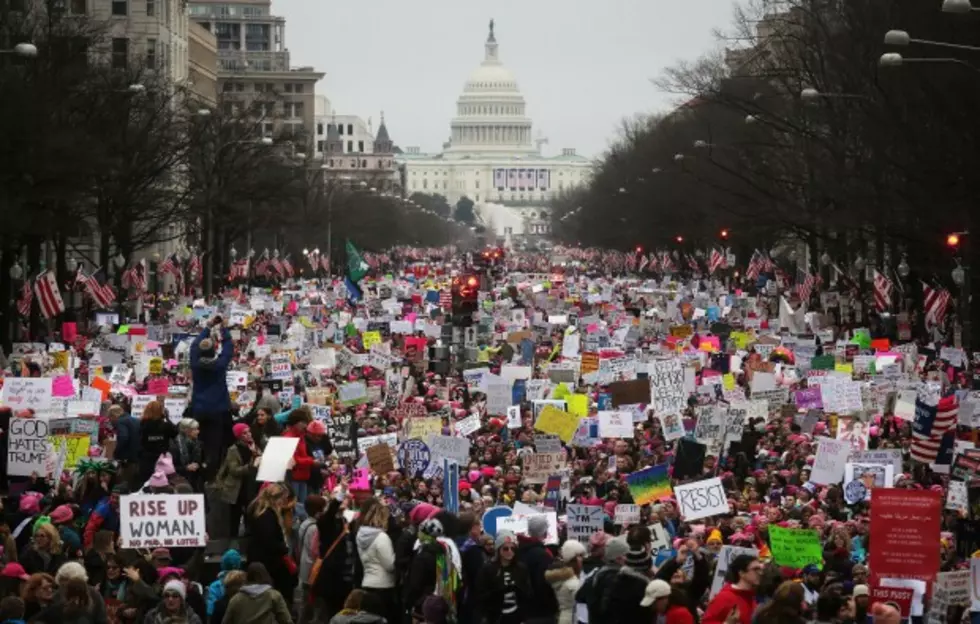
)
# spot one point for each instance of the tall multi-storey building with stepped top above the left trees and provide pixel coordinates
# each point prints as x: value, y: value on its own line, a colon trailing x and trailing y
x: 253, y: 62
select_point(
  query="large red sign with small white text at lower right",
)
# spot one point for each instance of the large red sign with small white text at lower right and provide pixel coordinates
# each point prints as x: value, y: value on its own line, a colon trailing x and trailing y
x: 905, y: 526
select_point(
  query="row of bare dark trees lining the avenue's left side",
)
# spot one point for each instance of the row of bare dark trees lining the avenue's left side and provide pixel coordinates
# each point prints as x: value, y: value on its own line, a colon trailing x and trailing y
x: 102, y: 157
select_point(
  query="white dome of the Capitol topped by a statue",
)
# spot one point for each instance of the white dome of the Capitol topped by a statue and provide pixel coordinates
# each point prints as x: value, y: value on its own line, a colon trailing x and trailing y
x: 491, y: 117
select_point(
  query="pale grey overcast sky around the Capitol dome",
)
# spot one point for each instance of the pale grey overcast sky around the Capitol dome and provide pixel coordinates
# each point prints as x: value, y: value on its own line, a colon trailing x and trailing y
x: 582, y: 65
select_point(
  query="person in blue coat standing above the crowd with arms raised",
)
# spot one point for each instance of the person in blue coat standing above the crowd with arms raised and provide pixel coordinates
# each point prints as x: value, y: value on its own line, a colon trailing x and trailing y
x: 210, y: 402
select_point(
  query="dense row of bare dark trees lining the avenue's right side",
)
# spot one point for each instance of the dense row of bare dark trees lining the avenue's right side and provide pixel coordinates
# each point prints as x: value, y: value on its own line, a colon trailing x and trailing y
x: 801, y: 135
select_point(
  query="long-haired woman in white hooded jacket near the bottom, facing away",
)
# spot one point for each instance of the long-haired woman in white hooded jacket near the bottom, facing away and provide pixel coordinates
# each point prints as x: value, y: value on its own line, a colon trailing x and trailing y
x: 377, y: 555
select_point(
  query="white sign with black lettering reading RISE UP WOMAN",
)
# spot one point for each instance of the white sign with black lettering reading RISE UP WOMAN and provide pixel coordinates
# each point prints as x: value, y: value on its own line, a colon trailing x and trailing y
x: 162, y: 520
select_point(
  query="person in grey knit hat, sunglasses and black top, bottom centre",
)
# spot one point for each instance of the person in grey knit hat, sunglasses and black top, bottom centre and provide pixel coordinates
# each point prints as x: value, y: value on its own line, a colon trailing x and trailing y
x: 505, y: 586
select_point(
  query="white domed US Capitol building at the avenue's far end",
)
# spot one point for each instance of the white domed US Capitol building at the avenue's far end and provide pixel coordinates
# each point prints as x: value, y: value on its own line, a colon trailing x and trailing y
x: 493, y: 159
